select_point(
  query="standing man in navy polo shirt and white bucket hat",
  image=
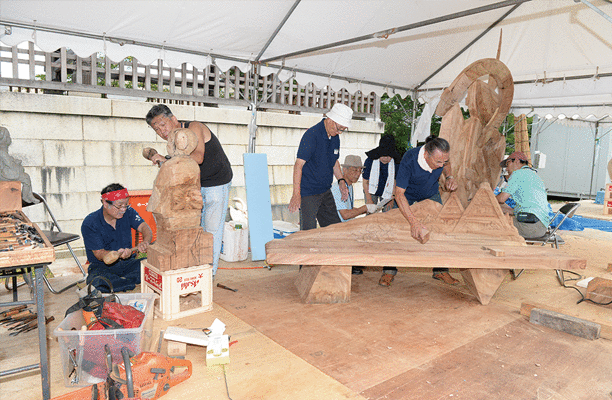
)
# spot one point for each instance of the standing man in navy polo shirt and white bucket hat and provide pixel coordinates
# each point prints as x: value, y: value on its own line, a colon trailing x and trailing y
x: 315, y: 167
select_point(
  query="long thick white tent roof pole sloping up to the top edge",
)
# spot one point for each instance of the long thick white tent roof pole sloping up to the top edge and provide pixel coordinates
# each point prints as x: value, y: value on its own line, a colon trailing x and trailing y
x: 384, y: 34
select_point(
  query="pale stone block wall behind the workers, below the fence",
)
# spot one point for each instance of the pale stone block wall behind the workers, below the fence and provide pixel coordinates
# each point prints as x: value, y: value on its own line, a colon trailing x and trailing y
x: 74, y: 146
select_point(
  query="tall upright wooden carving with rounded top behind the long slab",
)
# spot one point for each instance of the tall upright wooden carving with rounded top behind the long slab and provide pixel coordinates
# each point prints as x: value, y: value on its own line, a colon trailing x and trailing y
x: 477, y: 147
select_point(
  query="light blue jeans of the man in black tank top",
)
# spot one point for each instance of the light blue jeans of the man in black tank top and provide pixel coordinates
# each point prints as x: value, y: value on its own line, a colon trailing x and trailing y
x: 214, y: 211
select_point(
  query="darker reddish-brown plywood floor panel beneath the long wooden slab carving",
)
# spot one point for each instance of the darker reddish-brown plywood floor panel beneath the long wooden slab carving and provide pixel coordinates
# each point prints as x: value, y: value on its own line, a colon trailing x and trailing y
x: 381, y: 333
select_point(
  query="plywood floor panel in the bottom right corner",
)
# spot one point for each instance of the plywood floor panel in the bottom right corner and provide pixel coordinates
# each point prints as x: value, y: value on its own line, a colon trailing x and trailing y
x: 516, y: 361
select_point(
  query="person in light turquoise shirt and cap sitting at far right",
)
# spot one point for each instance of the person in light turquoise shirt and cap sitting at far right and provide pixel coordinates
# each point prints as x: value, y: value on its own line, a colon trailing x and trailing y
x: 530, y: 215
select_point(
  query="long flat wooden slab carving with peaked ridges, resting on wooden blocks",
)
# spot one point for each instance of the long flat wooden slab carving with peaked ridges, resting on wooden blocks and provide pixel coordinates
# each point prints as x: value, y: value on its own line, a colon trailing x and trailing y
x: 478, y: 239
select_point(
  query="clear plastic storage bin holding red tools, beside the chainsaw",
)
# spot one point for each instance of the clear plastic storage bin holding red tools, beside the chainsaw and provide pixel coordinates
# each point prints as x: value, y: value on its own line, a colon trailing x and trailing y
x: 82, y: 352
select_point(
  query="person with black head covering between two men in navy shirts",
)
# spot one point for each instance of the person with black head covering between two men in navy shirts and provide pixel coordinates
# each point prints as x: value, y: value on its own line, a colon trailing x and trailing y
x: 380, y: 170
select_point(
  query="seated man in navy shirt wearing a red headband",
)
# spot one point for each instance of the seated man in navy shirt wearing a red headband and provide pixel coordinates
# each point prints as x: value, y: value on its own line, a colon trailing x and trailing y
x: 110, y: 229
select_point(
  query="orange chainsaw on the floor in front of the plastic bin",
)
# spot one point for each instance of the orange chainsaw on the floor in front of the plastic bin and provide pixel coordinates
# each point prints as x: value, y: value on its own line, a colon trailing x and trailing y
x: 145, y: 376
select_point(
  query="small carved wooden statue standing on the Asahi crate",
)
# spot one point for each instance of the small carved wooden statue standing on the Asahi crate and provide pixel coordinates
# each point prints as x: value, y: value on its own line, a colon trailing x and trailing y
x: 176, y: 204
